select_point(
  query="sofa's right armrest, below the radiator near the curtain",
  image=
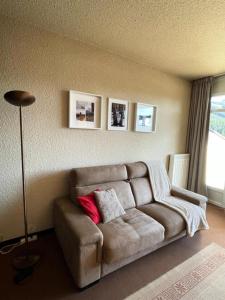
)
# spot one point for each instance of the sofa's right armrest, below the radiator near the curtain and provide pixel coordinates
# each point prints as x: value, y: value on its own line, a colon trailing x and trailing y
x: 192, y: 197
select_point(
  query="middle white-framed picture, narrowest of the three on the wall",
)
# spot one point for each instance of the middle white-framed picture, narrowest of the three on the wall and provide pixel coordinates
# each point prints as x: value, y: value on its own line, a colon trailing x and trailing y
x: 117, y: 114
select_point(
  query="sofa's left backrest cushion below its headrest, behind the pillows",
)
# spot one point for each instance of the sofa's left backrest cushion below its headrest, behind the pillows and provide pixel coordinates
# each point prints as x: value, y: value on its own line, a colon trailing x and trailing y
x: 122, y: 188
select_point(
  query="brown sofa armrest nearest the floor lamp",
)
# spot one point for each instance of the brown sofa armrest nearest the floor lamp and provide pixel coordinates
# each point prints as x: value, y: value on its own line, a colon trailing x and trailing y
x: 81, y: 242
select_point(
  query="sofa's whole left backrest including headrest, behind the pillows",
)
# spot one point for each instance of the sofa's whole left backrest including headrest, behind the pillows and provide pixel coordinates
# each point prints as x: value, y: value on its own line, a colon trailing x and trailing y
x: 85, y: 180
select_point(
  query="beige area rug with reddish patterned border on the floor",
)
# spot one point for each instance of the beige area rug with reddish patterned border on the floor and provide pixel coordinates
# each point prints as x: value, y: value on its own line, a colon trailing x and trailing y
x: 200, y: 277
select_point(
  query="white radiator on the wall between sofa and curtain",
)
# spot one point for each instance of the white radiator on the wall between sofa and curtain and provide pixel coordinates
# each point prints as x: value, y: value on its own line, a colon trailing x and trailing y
x: 178, y: 169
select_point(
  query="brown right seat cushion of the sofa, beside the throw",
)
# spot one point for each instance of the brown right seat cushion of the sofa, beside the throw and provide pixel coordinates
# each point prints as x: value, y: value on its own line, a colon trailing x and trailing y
x: 172, y: 221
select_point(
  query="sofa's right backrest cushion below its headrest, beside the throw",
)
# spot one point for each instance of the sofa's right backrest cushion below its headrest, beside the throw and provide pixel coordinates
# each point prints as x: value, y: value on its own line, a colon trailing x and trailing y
x: 142, y: 190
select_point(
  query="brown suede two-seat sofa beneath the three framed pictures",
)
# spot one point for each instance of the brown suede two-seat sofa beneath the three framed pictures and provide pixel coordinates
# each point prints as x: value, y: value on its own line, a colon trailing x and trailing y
x: 93, y: 251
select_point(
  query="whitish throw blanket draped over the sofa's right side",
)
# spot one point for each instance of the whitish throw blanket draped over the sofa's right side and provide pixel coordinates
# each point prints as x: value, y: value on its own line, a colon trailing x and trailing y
x: 194, y: 215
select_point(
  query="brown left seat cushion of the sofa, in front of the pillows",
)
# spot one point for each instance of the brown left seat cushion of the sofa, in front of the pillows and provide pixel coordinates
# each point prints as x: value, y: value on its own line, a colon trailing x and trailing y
x: 129, y: 234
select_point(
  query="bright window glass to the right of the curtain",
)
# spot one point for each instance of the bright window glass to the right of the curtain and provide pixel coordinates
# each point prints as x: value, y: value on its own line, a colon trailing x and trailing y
x: 215, y: 176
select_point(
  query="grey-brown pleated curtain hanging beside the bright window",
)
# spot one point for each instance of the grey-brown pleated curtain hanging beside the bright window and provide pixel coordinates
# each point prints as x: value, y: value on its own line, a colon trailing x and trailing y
x: 197, y: 135
